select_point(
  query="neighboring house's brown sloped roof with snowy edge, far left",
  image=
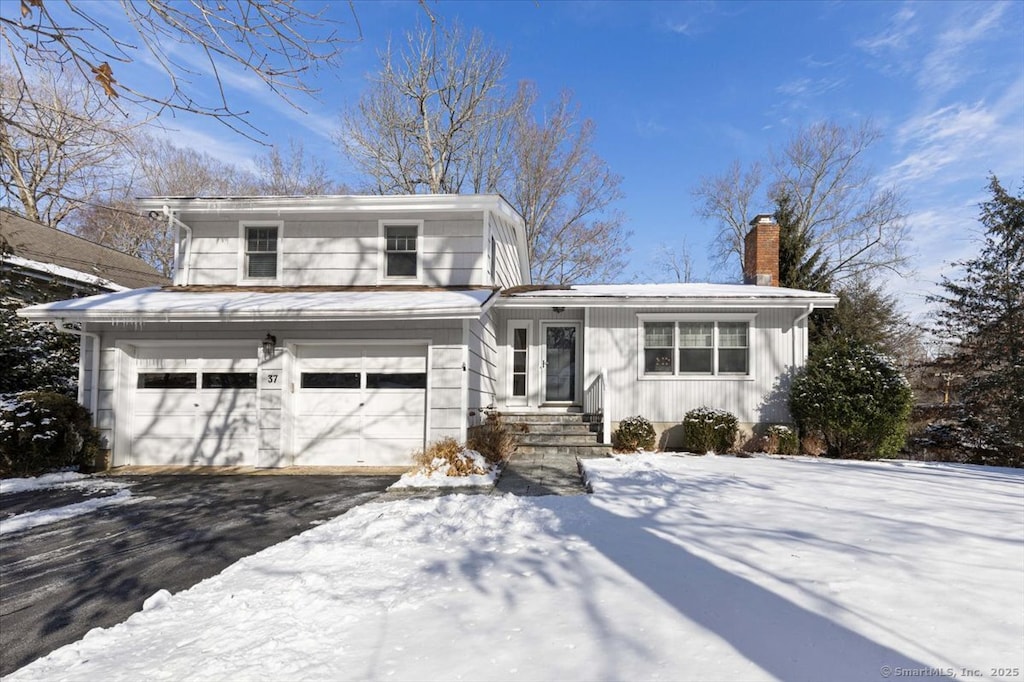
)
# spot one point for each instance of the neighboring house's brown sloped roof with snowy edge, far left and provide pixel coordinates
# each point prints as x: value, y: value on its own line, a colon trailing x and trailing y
x: 79, y: 259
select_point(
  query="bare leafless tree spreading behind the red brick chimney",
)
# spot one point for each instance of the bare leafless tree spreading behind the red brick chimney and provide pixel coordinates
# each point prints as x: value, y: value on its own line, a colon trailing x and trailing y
x: 860, y: 227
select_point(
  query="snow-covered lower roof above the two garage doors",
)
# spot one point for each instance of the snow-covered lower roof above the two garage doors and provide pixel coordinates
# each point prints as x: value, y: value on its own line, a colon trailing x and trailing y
x: 285, y: 305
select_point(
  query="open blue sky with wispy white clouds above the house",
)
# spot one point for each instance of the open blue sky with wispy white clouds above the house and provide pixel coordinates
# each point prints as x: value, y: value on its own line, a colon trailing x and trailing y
x: 679, y: 91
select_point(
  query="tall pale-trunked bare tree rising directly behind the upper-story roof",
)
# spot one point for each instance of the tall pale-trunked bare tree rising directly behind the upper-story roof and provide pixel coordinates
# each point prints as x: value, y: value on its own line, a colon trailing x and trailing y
x: 437, y: 118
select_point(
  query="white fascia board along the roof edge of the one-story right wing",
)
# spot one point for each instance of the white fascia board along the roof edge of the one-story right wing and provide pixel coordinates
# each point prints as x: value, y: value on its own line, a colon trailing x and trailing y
x: 662, y: 303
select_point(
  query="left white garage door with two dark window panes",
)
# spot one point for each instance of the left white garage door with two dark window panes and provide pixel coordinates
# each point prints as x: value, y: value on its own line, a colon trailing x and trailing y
x: 195, y: 407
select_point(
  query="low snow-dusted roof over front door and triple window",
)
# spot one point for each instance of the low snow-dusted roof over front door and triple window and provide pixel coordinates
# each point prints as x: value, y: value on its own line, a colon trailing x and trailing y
x: 665, y: 295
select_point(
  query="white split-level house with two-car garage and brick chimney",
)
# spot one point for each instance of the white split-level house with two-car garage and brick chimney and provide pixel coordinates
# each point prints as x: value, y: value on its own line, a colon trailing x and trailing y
x: 354, y: 330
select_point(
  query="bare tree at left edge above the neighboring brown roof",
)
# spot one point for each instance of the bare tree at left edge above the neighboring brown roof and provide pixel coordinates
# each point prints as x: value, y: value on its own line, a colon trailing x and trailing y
x: 60, y: 148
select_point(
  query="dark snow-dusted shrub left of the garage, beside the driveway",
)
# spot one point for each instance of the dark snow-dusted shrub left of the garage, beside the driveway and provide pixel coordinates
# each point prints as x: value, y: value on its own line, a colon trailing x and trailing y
x: 42, y: 432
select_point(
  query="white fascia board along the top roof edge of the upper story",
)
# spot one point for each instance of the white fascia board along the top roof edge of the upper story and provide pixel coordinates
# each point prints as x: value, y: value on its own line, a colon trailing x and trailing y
x: 281, y: 205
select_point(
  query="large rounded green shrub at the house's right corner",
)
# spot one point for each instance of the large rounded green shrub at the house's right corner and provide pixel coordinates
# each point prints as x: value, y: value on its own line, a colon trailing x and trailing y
x: 856, y: 399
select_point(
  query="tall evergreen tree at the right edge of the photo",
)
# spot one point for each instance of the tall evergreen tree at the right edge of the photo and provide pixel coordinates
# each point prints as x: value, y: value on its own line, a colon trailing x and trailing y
x: 983, y: 315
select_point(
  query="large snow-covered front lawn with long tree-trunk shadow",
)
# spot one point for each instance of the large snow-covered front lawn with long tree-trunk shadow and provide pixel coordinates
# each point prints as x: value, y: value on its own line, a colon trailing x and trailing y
x: 676, y: 569
